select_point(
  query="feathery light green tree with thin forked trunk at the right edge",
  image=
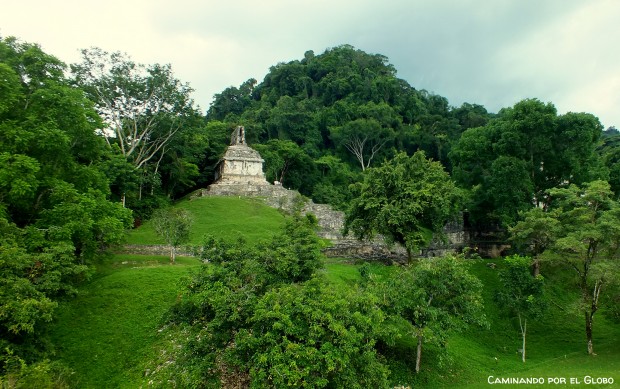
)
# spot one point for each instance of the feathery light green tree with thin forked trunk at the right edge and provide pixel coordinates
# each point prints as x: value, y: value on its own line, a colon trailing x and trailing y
x: 586, y: 240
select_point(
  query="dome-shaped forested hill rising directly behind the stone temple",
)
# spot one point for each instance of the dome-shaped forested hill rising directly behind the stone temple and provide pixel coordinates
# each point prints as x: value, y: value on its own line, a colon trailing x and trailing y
x: 322, y: 120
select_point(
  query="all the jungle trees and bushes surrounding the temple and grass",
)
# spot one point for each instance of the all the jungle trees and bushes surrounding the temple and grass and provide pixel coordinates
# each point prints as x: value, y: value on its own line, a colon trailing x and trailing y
x: 91, y: 150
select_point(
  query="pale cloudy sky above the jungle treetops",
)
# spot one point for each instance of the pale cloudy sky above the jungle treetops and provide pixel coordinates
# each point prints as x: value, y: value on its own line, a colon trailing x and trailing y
x: 489, y: 52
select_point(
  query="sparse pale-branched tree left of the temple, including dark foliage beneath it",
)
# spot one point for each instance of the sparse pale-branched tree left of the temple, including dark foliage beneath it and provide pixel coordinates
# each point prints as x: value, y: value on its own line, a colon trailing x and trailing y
x: 148, y: 117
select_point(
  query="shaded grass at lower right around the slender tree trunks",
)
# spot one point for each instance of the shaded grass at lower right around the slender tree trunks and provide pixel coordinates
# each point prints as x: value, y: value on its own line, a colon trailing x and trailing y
x: 555, y: 345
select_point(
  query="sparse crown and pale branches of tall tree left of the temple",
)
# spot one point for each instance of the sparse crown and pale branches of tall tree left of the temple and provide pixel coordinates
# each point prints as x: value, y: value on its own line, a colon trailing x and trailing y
x: 142, y: 107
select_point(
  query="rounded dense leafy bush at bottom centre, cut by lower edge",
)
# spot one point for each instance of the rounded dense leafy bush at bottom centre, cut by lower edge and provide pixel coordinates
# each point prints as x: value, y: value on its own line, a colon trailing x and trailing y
x: 312, y: 335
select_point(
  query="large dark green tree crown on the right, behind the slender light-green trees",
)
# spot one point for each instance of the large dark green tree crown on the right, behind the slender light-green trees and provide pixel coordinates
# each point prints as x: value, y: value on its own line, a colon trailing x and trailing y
x: 510, y: 162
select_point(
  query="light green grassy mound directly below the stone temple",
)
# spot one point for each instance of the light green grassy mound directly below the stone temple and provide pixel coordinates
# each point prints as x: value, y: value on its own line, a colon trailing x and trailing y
x: 223, y: 217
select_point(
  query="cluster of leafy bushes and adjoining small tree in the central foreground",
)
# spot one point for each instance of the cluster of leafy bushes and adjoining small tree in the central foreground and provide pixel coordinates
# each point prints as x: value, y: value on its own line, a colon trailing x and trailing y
x: 263, y: 317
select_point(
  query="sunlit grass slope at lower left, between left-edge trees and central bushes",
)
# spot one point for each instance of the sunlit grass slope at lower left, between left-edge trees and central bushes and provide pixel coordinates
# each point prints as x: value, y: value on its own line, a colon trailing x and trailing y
x: 108, y: 332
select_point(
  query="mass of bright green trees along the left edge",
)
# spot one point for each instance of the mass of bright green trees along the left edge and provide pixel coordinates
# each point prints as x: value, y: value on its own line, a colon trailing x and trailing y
x: 55, y: 213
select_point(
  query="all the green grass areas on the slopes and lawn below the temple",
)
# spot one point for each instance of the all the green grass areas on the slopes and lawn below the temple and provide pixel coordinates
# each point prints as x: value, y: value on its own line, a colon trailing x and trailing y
x: 112, y: 334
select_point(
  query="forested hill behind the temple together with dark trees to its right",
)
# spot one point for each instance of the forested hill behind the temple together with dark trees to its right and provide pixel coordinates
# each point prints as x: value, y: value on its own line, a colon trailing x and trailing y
x: 322, y: 120
